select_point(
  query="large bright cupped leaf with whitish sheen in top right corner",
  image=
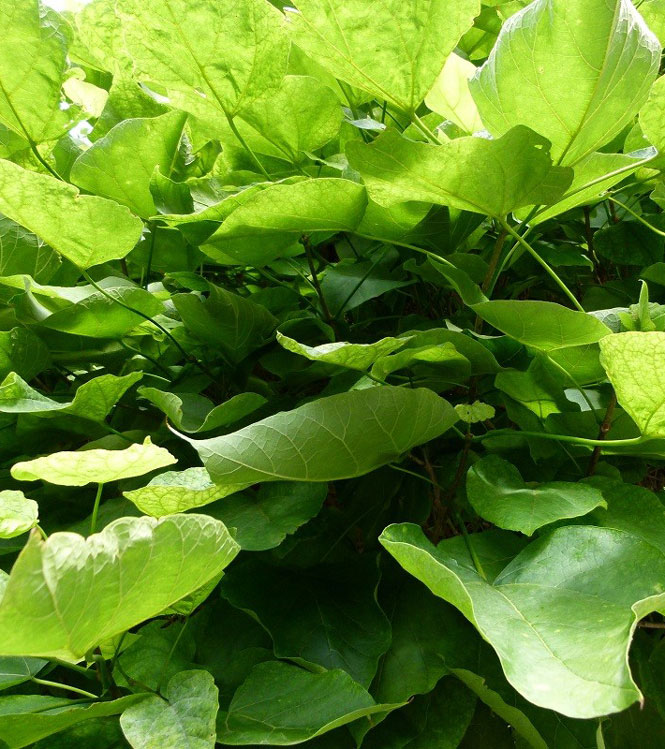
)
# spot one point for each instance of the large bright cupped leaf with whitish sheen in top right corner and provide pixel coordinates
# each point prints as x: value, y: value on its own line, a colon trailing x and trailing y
x: 527, y: 78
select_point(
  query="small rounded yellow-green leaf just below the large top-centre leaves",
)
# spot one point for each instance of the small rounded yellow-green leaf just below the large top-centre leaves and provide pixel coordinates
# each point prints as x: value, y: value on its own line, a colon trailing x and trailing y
x: 300, y: 117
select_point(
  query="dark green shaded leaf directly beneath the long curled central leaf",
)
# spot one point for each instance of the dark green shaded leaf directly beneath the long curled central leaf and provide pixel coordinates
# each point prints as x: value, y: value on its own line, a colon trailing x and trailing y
x: 262, y: 519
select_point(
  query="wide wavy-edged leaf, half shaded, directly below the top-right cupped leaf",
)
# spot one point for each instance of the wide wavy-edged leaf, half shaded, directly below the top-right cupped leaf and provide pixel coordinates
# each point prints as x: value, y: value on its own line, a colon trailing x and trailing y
x: 473, y: 174
